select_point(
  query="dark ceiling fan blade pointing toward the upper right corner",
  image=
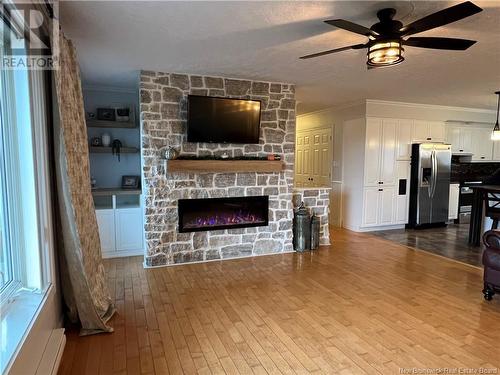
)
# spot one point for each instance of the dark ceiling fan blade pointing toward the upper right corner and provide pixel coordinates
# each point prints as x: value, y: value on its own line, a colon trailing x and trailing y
x: 441, y: 18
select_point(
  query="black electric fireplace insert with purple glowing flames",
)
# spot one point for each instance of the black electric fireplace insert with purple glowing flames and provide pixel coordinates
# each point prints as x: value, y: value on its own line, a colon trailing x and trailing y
x: 222, y: 213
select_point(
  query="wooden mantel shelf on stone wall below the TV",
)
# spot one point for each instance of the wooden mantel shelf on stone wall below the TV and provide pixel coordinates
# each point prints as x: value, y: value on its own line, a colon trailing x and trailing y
x: 211, y: 166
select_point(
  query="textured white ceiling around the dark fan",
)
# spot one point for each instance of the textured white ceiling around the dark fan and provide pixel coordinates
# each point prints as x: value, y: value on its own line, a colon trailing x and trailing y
x: 263, y: 40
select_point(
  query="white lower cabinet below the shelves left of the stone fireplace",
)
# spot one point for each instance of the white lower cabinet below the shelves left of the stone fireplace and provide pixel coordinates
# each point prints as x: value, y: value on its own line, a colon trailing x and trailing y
x: 121, y: 228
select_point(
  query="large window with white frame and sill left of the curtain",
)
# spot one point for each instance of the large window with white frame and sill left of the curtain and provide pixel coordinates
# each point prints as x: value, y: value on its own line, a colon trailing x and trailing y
x: 25, y: 231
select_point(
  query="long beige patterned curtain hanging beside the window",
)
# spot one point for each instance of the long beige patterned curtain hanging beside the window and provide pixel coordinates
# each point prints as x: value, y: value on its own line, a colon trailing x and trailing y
x: 82, y: 272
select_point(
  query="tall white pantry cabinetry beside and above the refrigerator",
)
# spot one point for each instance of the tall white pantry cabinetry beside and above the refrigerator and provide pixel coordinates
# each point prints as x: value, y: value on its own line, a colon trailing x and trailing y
x: 377, y: 193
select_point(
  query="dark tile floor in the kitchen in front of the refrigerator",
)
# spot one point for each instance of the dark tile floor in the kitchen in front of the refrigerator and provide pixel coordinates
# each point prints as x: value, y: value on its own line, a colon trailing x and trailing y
x: 450, y: 241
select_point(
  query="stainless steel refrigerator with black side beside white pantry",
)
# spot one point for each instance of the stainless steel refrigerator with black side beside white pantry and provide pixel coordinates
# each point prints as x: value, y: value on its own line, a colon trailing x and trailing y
x: 429, y: 184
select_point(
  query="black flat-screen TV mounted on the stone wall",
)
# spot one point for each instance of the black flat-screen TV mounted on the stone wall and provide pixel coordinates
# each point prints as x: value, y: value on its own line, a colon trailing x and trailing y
x: 223, y: 120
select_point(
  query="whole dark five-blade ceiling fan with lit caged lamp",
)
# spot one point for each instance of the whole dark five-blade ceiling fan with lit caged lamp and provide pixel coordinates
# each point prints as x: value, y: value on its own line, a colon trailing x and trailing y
x: 385, y: 38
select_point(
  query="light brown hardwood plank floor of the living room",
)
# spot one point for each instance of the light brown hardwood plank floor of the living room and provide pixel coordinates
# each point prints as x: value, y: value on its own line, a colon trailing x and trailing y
x: 361, y: 306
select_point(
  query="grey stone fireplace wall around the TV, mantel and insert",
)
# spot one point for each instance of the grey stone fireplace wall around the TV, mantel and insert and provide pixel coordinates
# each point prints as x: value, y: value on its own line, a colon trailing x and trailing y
x: 163, y: 106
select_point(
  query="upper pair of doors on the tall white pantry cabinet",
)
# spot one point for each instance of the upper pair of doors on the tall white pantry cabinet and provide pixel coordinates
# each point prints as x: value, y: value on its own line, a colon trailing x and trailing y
x: 380, y: 151
